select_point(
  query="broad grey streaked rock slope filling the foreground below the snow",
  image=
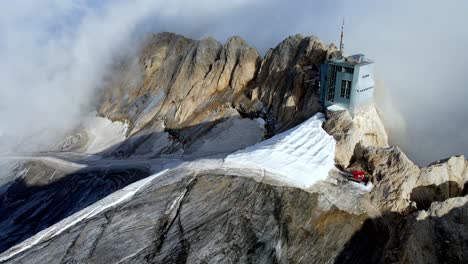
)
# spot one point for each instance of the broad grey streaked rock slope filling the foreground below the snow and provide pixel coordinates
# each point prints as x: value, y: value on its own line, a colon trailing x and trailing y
x: 212, y: 217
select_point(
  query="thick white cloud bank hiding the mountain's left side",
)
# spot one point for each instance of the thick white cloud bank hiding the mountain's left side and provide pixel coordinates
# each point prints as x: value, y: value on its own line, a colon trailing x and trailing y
x: 54, y: 54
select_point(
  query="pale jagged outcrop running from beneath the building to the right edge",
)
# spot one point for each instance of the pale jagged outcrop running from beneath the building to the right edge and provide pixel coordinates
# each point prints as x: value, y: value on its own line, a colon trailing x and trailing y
x: 399, y: 185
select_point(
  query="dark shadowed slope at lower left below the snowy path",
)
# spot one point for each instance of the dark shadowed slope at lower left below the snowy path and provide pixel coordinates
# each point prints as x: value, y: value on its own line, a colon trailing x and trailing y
x: 42, y: 195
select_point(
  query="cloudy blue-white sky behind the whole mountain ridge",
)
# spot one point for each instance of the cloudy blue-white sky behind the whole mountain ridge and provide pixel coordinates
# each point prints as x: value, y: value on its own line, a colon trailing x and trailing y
x: 53, y: 54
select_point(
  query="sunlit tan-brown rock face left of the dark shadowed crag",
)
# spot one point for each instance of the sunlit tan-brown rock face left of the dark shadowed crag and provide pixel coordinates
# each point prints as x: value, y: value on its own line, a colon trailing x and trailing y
x: 177, y: 84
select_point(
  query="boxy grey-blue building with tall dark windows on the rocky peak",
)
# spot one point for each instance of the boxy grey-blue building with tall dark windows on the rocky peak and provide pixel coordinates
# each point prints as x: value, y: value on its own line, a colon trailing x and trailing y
x: 347, y: 82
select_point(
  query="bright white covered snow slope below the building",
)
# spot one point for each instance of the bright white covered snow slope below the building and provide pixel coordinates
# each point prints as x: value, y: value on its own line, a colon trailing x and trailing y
x: 301, y: 156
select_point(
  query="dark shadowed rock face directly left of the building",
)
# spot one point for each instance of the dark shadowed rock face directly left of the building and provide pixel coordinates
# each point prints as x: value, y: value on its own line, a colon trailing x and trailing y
x: 285, y: 83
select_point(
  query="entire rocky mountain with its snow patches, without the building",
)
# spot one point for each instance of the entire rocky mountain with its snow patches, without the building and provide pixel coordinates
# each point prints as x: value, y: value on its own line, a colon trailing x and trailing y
x: 147, y: 179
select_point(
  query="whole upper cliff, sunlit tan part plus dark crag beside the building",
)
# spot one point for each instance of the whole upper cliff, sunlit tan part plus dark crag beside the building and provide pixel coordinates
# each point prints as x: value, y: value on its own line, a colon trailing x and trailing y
x: 185, y: 87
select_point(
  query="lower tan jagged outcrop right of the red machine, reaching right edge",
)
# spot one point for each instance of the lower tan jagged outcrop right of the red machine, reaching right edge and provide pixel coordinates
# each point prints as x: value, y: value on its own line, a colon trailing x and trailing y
x: 401, y: 186
